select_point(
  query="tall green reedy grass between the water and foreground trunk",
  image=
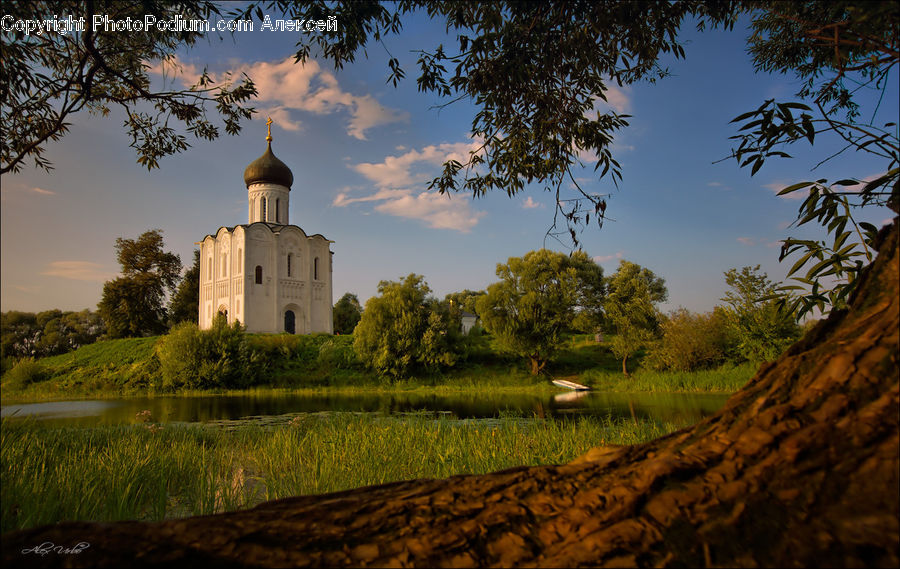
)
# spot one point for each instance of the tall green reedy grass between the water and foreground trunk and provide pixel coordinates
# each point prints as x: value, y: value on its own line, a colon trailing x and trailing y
x: 151, y: 472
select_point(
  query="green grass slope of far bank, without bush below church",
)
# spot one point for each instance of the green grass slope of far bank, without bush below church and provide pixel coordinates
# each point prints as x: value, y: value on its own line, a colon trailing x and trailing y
x: 126, y: 367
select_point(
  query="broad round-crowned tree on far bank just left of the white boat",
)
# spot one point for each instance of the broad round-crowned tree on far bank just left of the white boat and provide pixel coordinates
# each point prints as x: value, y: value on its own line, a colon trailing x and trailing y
x: 535, y: 300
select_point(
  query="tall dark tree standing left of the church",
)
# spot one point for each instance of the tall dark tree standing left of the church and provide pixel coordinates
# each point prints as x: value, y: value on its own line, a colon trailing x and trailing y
x: 134, y: 304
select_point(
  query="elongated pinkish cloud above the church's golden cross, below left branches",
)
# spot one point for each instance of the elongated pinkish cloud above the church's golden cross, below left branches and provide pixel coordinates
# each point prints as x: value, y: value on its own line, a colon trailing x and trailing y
x: 284, y: 86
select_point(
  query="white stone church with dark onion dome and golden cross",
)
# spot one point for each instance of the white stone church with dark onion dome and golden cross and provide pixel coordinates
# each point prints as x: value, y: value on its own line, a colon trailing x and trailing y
x: 267, y: 274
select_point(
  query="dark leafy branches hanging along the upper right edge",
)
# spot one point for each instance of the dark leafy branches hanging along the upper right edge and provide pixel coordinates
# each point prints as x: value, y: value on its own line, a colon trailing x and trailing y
x: 836, y: 49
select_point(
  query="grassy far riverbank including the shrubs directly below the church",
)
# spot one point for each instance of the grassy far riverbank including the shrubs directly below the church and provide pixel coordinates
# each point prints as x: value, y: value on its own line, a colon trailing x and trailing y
x: 228, y: 360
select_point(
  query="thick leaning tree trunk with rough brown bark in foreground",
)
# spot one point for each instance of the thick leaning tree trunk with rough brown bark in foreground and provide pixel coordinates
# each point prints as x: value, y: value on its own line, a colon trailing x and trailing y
x: 799, y: 469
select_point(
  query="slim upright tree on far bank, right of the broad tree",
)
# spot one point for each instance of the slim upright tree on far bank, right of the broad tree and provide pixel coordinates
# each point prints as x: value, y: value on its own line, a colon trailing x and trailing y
x: 632, y: 293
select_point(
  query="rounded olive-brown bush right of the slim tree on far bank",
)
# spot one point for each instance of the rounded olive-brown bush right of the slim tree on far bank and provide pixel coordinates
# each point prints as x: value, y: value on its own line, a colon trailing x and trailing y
x: 693, y: 342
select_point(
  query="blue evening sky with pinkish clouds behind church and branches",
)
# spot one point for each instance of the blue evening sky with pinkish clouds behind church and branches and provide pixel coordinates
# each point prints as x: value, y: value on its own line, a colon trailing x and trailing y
x: 362, y: 153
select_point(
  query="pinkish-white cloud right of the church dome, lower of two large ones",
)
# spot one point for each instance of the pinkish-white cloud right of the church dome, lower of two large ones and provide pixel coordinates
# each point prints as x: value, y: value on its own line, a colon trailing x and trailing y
x: 400, y: 181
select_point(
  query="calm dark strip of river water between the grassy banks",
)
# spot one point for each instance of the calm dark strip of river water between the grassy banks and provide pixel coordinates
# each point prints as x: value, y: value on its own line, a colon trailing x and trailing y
x: 673, y: 407
